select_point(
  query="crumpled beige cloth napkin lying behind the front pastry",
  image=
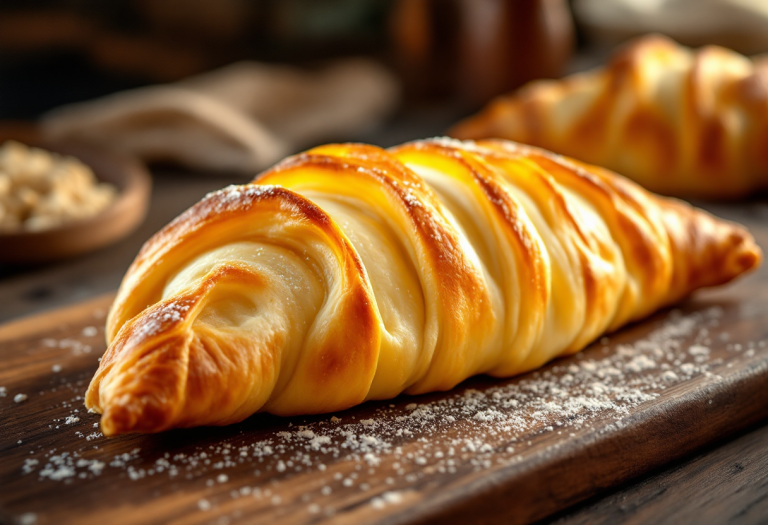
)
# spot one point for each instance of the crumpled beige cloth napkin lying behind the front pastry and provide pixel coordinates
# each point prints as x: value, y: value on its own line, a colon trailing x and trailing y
x: 243, y: 117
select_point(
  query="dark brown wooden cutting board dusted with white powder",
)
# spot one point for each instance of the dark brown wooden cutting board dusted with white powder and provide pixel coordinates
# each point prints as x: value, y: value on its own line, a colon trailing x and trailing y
x: 510, y: 451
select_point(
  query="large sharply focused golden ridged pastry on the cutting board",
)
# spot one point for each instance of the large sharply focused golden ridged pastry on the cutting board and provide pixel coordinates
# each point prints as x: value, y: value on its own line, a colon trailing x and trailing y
x: 351, y: 272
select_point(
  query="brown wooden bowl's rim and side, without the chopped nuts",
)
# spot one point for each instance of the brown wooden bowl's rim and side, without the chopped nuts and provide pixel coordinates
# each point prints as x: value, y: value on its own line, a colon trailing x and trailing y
x: 133, y: 183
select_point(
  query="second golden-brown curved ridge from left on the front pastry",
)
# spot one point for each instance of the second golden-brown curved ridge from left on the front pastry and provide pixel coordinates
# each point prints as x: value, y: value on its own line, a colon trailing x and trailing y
x: 453, y: 283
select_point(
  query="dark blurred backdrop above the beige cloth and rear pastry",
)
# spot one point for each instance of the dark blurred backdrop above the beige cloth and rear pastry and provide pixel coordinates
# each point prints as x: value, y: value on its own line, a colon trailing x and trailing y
x: 449, y: 52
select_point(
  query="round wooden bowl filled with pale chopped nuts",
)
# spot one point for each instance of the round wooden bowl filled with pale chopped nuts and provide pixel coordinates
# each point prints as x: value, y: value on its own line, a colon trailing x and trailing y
x: 58, y: 201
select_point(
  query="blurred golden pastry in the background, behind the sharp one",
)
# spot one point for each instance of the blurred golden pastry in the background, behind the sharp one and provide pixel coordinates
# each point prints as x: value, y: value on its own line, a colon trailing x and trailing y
x: 678, y: 121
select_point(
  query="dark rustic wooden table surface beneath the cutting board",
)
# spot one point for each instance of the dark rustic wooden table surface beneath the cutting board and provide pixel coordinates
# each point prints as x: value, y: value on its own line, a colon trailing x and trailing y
x: 726, y: 482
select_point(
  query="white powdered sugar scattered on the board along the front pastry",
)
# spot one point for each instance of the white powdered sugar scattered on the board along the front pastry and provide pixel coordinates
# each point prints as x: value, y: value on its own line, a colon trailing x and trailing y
x: 379, y: 458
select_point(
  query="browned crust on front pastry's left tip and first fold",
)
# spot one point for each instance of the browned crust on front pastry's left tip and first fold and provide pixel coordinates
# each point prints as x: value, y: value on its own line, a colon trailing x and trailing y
x: 163, y: 341
